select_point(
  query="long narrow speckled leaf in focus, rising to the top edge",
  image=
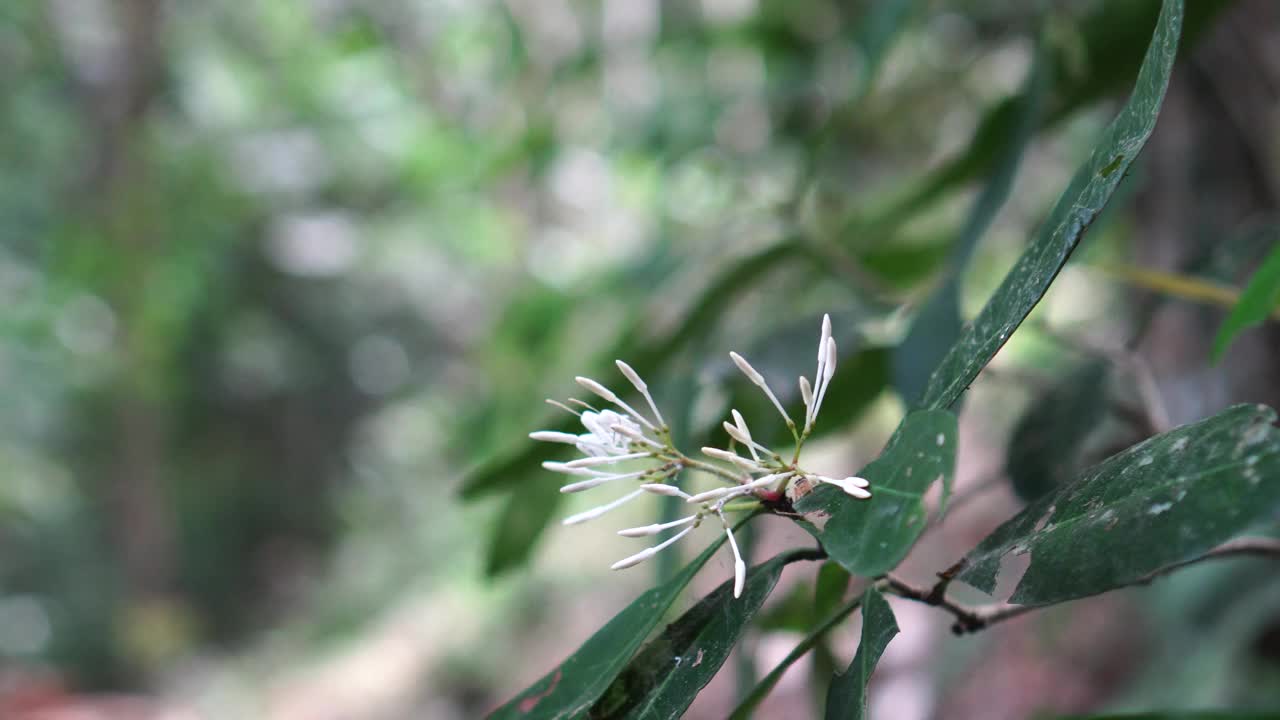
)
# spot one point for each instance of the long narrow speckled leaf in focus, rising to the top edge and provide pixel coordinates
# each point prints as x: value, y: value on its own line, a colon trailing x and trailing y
x: 1080, y: 206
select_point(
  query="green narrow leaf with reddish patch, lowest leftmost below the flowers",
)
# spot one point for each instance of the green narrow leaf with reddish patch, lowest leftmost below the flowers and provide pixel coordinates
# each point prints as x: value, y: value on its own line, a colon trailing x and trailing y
x: 574, y: 687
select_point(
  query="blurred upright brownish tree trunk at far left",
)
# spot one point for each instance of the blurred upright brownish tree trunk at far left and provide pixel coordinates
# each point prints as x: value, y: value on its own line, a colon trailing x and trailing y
x: 117, y: 84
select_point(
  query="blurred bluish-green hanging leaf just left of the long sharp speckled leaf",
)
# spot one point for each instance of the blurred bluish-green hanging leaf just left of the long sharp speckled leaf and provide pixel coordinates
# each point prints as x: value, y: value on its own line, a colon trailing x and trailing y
x: 938, y: 326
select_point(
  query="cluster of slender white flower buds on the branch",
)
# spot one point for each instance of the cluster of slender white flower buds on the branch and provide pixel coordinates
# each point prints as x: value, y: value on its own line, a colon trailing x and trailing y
x: 630, y: 439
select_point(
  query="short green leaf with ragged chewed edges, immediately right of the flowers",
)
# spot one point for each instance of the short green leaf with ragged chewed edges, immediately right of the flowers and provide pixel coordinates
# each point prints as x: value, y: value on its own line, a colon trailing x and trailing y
x: 871, y: 537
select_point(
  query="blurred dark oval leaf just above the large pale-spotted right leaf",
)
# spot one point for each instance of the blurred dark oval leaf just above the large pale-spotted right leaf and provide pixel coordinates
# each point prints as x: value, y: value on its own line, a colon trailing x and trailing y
x: 1048, y: 439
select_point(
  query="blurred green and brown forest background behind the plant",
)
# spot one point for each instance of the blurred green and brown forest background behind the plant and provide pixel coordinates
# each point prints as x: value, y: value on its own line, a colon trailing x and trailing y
x: 285, y: 286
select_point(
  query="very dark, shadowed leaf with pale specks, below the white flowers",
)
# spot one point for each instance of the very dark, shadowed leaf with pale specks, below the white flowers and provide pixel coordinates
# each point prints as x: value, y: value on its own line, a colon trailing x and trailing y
x: 666, y: 676
